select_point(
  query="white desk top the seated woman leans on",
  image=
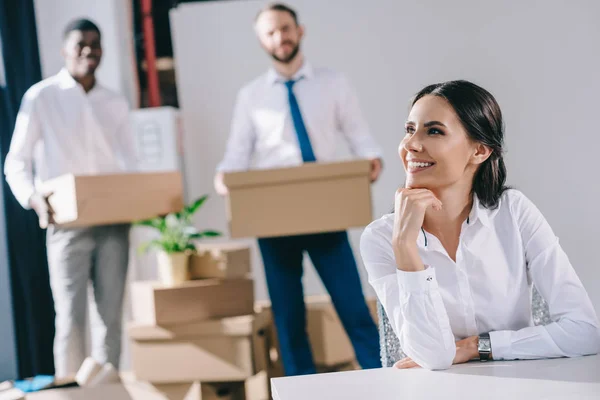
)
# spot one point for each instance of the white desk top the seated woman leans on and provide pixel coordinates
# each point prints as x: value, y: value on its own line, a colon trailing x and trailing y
x: 573, y: 378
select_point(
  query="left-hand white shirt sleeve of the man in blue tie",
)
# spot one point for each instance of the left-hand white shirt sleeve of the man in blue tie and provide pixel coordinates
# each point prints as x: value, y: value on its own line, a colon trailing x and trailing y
x: 240, y: 145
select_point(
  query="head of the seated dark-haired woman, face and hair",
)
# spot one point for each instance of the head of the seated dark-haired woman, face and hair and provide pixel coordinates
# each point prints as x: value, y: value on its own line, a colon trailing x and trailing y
x: 455, y: 107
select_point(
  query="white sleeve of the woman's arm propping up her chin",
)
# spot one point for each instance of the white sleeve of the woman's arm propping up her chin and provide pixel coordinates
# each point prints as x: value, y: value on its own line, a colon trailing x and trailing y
x: 412, y: 302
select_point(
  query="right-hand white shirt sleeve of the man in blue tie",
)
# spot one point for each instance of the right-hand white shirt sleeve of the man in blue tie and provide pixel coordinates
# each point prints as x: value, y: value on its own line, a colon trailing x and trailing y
x: 352, y: 123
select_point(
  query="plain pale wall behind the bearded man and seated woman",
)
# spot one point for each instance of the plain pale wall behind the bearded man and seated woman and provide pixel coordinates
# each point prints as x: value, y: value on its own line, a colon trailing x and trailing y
x: 539, y: 58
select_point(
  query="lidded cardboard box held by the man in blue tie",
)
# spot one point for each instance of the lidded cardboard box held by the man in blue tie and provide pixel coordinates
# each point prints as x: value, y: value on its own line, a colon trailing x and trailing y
x: 311, y: 198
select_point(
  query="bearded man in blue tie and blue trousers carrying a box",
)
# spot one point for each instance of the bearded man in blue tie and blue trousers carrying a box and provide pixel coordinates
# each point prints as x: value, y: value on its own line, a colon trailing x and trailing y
x: 293, y: 114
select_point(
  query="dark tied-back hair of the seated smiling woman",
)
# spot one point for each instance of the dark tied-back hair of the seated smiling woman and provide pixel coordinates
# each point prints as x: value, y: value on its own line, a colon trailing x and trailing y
x: 481, y: 117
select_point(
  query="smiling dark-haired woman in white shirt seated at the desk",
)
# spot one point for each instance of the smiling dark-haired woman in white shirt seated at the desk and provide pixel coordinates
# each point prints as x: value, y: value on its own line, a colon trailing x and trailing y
x: 454, y: 265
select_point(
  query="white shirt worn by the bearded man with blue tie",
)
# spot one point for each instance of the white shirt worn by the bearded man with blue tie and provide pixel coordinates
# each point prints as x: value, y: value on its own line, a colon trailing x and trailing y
x: 262, y: 131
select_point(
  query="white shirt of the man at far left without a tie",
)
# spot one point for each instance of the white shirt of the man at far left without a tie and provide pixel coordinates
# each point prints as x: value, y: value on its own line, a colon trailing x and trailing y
x: 60, y: 129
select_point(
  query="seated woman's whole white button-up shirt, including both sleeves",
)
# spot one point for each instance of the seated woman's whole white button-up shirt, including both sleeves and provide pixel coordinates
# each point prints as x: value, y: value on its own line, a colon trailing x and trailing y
x: 501, y: 253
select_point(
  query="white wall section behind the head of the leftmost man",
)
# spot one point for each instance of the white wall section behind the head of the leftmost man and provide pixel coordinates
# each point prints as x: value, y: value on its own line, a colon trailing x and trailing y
x: 114, y: 18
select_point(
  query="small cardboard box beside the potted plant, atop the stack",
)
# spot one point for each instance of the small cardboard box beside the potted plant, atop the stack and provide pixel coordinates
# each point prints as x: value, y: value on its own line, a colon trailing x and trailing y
x: 220, y: 260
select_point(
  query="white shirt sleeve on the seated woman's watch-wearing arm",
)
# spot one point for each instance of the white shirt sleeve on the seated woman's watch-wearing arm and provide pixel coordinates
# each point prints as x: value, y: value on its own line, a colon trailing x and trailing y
x: 574, y: 330
